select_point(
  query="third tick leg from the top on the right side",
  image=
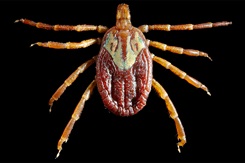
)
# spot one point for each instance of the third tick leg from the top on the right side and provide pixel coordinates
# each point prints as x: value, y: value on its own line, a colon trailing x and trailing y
x: 180, y: 73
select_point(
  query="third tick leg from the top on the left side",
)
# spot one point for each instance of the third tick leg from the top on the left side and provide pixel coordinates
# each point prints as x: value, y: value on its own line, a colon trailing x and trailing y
x: 69, y: 81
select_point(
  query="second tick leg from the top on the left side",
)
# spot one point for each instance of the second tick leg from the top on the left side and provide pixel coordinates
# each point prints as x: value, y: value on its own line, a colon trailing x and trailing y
x: 68, y: 45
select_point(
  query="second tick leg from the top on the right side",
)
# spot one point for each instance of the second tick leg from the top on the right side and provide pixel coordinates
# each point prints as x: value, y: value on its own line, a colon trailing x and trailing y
x: 178, y: 50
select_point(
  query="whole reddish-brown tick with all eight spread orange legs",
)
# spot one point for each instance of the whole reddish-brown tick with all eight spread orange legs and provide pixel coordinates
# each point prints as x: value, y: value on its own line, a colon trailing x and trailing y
x: 123, y: 67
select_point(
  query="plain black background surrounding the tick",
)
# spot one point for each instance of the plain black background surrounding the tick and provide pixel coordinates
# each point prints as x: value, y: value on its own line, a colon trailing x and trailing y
x: 213, y: 125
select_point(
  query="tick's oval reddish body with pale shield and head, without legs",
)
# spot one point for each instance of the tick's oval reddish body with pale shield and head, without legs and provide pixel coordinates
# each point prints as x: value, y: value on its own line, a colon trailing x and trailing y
x: 124, y: 67
